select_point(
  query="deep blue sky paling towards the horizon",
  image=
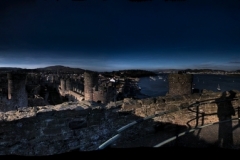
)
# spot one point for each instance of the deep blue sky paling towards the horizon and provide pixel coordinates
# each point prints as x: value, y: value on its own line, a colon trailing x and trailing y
x: 120, y: 34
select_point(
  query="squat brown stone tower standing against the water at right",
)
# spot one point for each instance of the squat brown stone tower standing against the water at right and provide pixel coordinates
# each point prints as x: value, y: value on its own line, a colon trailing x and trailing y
x: 180, y: 83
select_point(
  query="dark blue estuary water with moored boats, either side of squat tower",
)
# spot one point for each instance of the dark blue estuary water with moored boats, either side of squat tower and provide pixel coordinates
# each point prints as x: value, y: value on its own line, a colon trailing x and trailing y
x: 159, y: 86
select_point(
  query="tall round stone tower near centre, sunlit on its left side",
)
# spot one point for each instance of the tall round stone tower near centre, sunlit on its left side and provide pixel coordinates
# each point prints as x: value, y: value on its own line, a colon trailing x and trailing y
x: 90, y: 80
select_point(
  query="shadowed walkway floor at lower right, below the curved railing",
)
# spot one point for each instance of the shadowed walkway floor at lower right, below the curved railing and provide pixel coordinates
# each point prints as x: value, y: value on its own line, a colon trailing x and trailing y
x: 202, y: 137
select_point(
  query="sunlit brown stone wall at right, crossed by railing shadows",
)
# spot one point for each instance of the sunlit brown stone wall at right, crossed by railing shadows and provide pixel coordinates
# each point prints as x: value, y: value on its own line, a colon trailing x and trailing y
x: 183, y: 109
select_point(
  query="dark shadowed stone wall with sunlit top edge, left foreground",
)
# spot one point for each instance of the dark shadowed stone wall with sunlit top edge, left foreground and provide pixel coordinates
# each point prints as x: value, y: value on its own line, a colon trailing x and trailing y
x: 48, y: 130
